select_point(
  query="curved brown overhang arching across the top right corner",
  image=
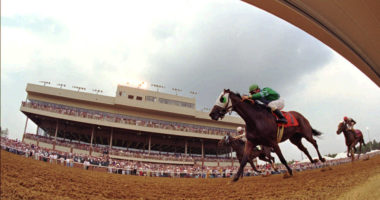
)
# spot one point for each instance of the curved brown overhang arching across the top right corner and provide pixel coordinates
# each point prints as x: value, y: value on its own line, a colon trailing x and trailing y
x: 350, y: 27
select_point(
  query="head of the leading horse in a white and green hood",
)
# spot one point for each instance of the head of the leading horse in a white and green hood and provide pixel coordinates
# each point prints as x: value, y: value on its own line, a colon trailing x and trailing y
x: 222, y: 106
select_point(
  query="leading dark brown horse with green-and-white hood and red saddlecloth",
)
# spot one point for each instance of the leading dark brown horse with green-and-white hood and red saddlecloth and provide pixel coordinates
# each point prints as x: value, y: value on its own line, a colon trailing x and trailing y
x: 261, y: 127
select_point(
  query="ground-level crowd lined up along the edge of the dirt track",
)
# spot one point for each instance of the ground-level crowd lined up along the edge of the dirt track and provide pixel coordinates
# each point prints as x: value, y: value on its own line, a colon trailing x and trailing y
x: 130, y: 167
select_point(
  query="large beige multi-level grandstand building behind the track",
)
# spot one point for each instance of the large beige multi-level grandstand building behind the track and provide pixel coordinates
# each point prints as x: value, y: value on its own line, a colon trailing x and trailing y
x: 136, y: 124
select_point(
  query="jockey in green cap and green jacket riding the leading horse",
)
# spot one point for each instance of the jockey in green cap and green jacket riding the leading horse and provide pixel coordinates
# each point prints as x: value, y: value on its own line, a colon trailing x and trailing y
x: 270, y: 98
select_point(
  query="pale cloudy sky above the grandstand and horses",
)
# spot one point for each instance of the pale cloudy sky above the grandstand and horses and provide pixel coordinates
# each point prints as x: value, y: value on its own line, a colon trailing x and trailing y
x: 203, y: 46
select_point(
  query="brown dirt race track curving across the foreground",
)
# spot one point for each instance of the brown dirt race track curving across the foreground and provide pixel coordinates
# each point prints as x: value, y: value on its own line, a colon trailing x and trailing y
x: 25, y: 178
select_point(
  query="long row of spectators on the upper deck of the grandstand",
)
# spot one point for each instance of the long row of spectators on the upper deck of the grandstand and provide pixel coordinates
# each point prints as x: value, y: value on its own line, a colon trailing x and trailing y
x: 125, y: 119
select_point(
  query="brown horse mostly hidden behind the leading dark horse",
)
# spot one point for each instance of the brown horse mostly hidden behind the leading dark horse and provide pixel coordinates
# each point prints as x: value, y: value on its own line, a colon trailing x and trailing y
x: 238, y: 146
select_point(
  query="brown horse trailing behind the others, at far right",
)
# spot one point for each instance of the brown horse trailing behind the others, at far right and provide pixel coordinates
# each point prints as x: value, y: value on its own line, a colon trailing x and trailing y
x: 351, y: 139
